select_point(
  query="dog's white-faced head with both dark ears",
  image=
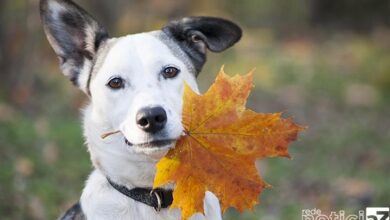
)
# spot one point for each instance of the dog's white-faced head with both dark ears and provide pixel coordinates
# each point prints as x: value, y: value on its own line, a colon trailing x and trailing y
x: 135, y: 82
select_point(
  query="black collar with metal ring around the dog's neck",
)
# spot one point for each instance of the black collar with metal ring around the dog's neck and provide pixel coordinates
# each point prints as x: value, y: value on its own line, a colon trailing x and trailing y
x: 157, y: 198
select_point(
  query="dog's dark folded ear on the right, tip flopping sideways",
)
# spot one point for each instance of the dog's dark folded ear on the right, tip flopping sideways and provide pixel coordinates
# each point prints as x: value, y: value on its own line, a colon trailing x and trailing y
x: 197, y: 34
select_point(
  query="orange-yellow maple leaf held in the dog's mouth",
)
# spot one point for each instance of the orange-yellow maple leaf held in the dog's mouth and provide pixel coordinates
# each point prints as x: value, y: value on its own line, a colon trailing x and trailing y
x: 222, y: 141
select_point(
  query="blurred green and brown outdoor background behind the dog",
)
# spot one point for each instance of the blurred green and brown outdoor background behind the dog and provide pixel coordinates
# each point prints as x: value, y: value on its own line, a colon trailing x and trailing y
x: 325, y: 62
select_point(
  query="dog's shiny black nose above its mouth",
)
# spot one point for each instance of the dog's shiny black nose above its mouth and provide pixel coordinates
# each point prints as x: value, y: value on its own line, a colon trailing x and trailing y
x: 151, y: 119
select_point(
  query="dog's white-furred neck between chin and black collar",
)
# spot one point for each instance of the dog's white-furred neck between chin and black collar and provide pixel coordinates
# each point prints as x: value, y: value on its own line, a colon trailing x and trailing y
x: 113, y: 158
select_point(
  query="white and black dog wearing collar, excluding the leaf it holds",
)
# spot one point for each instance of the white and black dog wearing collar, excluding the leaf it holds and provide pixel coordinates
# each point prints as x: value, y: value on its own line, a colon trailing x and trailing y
x: 135, y: 84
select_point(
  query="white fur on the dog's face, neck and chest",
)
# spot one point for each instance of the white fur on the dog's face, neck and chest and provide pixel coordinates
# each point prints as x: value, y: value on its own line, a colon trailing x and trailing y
x: 138, y: 59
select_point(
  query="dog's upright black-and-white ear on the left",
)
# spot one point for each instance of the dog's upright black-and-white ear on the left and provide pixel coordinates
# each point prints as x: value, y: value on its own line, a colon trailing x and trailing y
x: 75, y: 37
